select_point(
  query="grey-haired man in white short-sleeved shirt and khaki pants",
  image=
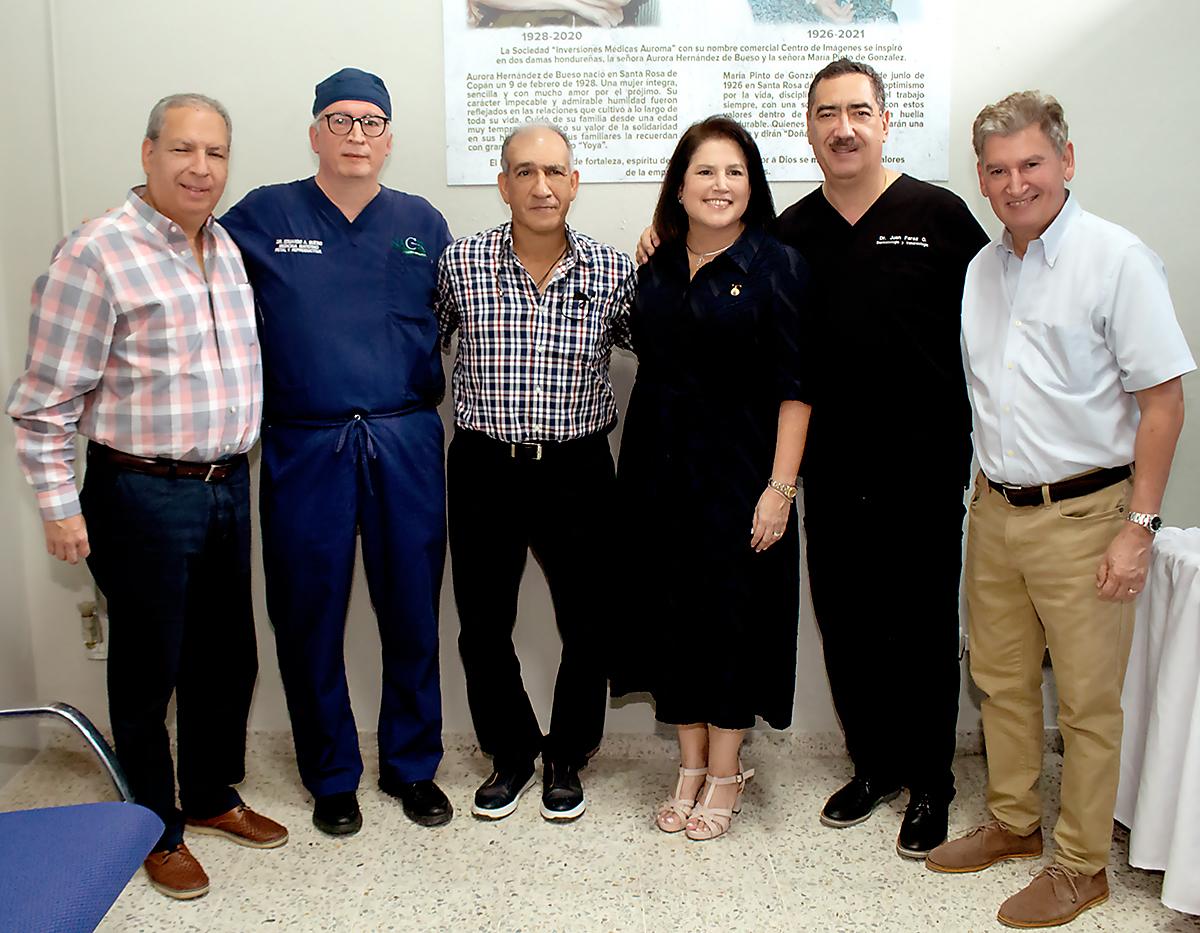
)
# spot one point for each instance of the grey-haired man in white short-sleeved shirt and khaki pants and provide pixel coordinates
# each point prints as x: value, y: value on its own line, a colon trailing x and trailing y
x: 1073, y: 360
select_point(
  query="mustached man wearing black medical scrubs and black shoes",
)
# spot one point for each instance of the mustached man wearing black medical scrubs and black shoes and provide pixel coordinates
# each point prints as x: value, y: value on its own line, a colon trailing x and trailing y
x: 889, y: 453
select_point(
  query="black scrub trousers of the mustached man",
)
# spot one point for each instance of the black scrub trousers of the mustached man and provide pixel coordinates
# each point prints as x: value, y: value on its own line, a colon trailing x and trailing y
x: 885, y: 565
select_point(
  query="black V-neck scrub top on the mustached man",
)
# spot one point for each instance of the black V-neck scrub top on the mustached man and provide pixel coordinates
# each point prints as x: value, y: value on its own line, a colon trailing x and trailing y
x: 889, y: 392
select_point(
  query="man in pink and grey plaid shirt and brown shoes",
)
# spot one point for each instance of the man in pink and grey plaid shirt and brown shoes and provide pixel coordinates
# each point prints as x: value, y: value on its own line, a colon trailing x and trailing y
x: 143, y: 340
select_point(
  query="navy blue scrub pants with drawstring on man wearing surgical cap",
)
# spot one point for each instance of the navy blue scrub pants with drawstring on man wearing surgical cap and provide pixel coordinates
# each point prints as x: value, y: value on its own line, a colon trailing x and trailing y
x: 381, y: 478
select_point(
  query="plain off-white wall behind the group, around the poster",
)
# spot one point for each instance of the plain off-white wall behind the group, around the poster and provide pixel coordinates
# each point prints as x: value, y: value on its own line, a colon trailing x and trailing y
x: 1123, y: 73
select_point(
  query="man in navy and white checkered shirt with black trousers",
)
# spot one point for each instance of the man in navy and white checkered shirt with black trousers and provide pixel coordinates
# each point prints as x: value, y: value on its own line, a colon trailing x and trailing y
x: 538, y: 309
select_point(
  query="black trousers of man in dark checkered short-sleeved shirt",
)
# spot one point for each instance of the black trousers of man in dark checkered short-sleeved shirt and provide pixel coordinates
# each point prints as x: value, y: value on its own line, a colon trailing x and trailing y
x: 500, y: 509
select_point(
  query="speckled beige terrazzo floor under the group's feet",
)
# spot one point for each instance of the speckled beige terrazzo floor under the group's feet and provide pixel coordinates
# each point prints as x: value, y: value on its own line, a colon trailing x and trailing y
x: 778, y: 870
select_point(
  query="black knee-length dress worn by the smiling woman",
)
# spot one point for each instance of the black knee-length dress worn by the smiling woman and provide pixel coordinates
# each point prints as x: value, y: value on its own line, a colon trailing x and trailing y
x: 712, y: 624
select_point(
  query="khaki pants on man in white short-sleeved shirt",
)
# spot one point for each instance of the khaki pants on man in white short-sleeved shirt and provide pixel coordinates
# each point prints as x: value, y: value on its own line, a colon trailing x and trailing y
x: 1031, y: 585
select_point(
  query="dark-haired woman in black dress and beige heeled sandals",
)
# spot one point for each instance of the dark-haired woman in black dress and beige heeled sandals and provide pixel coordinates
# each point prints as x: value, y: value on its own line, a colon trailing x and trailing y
x: 707, y: 472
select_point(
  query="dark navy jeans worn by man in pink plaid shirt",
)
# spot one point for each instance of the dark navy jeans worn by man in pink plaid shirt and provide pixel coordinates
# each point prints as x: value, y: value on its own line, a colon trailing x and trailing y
x: 172, y: 557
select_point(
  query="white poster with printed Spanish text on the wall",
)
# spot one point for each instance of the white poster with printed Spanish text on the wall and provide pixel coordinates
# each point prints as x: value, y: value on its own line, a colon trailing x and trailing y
x: 623, y: 79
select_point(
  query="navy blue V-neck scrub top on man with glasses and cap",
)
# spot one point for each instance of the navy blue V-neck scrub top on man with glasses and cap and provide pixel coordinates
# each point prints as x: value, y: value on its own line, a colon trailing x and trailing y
x: 345, y: 310
